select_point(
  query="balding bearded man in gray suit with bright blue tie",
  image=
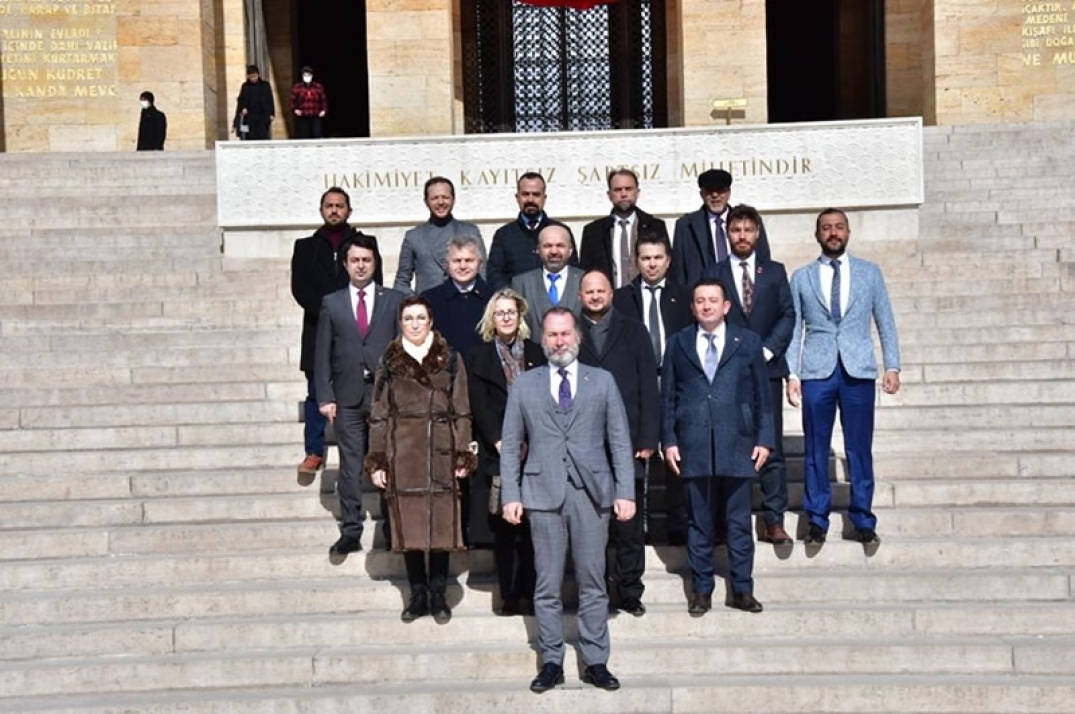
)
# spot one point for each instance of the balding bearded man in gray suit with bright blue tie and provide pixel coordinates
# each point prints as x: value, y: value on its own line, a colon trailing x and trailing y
x: 555, y: 284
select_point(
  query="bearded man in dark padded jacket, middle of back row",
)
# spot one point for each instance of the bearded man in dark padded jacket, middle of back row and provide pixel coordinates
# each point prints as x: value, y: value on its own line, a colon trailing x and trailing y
x: 514, y: 249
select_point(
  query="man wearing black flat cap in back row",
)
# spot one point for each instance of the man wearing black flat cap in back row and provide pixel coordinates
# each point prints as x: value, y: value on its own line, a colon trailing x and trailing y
x: 701, y: 237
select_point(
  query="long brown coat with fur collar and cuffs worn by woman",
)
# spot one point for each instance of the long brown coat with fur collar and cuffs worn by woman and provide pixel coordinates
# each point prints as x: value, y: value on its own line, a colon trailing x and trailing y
x: 420, y: 435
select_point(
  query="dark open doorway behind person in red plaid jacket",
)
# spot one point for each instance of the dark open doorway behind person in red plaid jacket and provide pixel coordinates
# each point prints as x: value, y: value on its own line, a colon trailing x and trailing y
x: 331, y: 37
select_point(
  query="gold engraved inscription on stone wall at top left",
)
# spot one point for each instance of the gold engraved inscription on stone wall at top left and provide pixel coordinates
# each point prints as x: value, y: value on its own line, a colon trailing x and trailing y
x: 59, y: 49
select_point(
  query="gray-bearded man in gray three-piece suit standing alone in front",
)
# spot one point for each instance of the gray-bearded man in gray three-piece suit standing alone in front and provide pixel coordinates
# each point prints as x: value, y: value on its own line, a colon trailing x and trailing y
x: 571, y: 420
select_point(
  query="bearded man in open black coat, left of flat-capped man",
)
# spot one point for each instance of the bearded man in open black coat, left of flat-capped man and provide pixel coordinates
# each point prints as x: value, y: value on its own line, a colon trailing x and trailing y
x: 609, y: 244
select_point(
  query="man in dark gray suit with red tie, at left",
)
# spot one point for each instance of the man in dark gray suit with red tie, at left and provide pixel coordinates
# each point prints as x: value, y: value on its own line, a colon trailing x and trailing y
x: 353, y: 332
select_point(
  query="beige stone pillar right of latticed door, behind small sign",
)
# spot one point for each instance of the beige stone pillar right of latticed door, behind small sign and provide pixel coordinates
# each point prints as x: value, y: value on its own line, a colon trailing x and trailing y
x: 722, y: 50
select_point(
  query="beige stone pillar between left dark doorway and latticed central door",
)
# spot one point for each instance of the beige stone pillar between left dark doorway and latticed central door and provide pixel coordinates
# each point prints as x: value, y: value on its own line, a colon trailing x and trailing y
x: 411, y: 46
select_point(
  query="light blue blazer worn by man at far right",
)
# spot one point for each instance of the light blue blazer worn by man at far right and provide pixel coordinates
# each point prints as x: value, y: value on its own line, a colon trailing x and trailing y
x: 818, y: 340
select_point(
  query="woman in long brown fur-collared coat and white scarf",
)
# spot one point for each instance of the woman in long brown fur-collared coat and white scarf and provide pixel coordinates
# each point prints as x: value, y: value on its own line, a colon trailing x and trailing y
x: 420, y: 447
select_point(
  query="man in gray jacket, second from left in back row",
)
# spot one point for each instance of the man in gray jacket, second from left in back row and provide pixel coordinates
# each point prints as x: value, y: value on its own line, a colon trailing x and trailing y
x: 425, y: 251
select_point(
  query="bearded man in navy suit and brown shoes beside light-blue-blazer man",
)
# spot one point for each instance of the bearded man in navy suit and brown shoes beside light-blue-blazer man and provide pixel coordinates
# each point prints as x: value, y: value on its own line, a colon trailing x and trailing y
x: 762, y: 303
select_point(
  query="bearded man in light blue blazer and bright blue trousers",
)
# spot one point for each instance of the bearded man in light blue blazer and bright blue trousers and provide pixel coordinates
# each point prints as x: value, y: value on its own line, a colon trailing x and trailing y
x: 833, y: 364
